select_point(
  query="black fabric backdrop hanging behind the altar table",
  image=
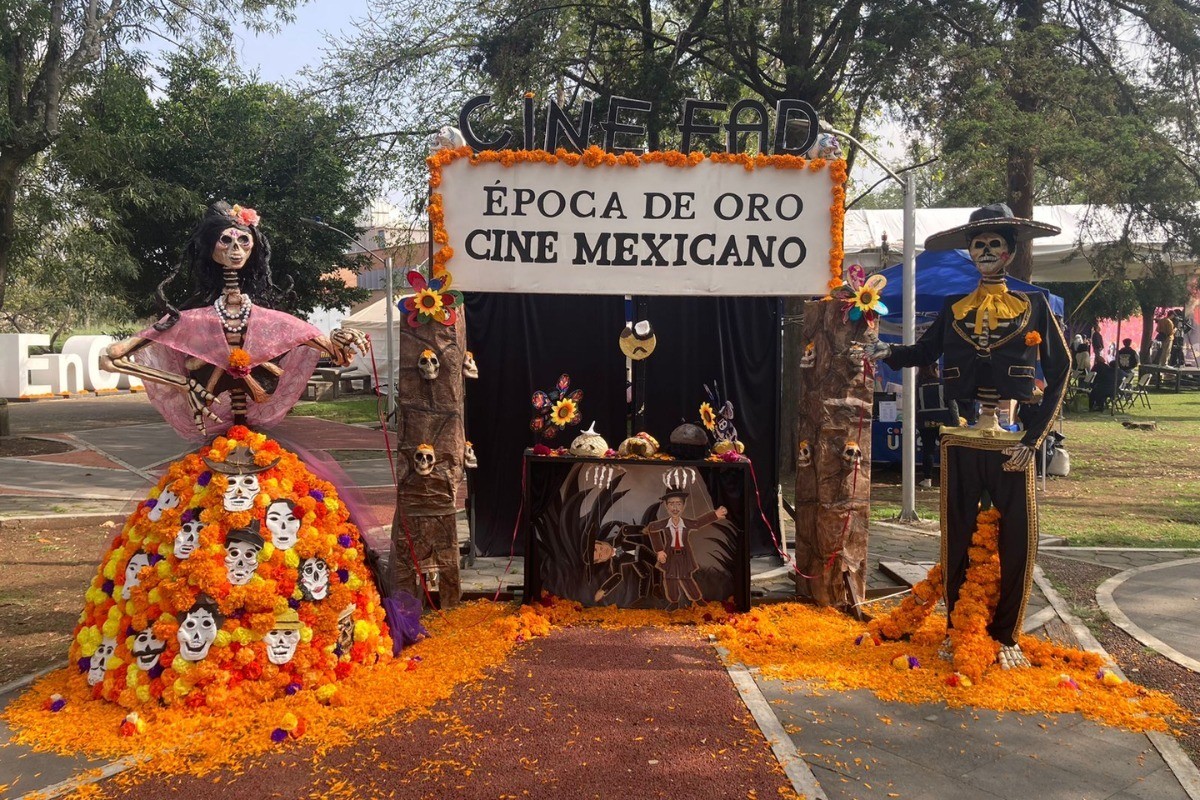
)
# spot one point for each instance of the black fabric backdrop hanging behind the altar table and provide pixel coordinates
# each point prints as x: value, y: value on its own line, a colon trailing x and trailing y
x: 525, y: 342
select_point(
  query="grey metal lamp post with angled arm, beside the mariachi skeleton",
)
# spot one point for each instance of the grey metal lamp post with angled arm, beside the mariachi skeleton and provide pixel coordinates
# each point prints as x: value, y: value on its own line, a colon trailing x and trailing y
x: 909, y: 328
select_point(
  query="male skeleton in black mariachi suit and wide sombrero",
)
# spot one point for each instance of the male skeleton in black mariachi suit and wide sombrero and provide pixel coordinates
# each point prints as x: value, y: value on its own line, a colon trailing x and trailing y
x: 992, y: 341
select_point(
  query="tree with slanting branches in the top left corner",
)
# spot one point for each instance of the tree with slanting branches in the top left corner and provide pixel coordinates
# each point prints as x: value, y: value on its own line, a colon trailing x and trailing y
x: 50, y: 51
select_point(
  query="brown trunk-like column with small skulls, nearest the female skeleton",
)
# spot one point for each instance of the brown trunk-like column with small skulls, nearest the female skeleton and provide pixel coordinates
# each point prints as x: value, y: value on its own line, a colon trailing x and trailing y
x: 430, y: 413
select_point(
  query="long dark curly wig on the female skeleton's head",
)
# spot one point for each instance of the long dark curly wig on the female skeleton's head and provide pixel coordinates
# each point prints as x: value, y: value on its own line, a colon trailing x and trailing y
x: 208, y: 279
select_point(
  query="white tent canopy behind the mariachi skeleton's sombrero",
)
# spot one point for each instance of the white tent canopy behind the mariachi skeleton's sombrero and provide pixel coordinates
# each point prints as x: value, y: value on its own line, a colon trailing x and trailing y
x: 1063, y: 258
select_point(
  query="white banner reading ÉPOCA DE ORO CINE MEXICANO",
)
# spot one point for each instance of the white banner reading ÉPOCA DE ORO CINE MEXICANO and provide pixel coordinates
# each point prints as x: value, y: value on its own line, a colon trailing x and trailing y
x: 713, y: 228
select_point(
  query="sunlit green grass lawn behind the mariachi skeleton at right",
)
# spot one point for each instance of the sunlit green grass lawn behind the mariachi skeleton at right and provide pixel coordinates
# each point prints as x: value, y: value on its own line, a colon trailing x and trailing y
x: 1135, y: 489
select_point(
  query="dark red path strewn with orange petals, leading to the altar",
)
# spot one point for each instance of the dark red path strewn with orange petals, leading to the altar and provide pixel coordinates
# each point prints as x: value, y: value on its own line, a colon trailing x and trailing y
x: 585, y: 713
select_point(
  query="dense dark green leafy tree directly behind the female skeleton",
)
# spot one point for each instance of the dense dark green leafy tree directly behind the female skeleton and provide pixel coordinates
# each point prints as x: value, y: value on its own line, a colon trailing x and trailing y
x: 215, y: 135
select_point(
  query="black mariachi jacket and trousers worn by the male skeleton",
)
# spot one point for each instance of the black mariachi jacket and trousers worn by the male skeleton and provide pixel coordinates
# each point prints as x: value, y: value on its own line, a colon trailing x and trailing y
x: 998, y: 360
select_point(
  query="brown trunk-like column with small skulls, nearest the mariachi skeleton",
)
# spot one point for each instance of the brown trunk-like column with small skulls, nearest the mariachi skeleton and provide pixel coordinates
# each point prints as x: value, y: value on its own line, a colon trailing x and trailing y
x: 833, y: 468
